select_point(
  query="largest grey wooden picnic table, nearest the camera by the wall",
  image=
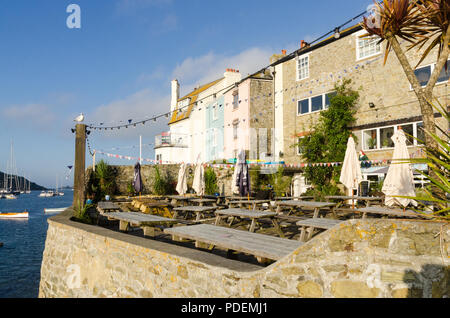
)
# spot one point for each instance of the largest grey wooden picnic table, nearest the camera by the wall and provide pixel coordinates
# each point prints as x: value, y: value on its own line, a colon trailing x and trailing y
x: 259, y: 245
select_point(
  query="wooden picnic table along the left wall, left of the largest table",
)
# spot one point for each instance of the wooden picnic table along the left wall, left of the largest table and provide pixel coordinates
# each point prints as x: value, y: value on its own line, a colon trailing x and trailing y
x: 147, y: 222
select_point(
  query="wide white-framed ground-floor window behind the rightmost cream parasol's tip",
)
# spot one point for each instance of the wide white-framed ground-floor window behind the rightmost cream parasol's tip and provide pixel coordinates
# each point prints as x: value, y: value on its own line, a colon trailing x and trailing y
x: 381, y: 138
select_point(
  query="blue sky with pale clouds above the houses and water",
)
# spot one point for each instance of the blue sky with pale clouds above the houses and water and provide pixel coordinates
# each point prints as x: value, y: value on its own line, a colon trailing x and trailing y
x: 119, y: 65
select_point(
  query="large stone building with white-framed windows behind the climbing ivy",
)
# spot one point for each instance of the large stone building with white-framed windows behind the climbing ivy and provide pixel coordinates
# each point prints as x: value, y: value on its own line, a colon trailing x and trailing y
x: 304, y: 83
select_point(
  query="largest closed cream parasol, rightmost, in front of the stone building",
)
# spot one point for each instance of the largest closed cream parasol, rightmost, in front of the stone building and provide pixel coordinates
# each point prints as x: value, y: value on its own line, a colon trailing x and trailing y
x: 399, y: 179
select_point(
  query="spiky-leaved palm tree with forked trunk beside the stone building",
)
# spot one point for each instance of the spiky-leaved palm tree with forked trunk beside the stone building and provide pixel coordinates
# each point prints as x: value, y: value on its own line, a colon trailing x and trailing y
x: 419, y: 23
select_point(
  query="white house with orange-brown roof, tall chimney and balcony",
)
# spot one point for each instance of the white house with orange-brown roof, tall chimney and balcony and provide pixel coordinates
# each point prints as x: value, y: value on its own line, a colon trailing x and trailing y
x: 188, y: 137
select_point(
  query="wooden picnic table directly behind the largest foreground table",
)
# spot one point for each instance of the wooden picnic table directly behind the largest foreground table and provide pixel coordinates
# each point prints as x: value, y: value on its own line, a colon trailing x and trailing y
x: 253, y: 215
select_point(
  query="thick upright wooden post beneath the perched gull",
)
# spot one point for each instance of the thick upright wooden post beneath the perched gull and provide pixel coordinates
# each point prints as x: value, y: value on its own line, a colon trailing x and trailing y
x: 79, y: 174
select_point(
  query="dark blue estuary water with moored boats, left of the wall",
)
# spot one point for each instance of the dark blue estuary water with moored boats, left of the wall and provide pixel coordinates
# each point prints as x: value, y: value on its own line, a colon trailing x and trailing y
x: 24, y: 242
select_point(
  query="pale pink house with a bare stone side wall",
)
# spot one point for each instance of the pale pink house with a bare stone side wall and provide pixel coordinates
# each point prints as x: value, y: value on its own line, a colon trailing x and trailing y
x: 248, y: 118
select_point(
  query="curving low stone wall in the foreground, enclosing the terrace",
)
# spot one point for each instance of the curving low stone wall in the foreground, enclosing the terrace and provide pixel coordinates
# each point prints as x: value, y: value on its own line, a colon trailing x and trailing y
x: 360, y: 258
